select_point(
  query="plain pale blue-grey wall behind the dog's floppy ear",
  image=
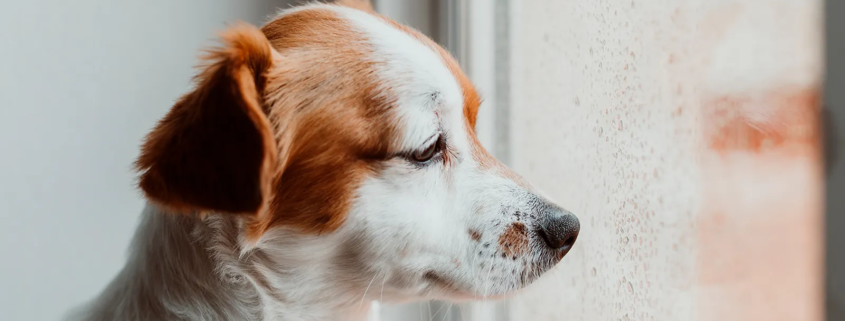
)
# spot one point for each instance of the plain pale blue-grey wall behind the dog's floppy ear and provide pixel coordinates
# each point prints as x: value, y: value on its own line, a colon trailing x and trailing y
x: 81, y: 83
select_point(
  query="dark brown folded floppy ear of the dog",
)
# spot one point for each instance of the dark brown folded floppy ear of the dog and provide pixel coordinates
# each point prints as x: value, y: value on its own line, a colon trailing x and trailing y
x: 214, y: 150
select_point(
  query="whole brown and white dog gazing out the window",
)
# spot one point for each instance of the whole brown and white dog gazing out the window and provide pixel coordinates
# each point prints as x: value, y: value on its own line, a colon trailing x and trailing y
x: 324, y: 161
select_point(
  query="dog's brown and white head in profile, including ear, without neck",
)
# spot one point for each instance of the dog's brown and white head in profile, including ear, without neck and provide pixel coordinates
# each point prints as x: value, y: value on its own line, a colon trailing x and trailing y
x: 346, y: 143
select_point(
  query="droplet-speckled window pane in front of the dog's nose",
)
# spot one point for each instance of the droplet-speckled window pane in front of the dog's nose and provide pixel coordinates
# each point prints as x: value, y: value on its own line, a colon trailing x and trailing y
x: 684, y: 136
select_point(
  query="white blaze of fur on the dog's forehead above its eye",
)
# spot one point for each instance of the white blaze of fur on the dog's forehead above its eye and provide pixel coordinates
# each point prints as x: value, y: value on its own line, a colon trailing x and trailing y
x: 411, y: 69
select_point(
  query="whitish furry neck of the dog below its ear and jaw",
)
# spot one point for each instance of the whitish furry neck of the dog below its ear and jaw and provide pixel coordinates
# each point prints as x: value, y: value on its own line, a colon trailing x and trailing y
x: 182, y: 267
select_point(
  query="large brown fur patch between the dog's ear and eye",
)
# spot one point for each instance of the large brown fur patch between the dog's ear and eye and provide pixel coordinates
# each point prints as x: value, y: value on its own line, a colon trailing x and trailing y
x: 328, y: 115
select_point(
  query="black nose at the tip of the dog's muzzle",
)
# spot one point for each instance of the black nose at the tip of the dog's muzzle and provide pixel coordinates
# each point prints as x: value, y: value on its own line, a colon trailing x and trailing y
x: 559, y: 228
